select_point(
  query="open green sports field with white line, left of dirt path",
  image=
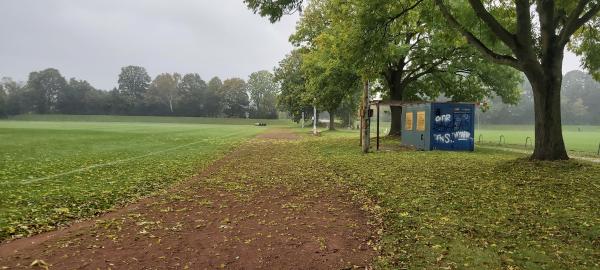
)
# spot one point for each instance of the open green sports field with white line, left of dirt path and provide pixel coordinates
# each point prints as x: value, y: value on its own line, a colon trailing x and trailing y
x: 55, y: 171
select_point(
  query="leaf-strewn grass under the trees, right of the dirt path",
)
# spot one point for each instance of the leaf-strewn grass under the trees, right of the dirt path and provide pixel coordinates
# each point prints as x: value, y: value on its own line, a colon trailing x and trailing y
x: 486, y: 209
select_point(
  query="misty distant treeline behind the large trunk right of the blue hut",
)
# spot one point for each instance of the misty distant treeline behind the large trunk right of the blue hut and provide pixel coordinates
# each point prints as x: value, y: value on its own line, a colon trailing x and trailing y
x: 580, y: 103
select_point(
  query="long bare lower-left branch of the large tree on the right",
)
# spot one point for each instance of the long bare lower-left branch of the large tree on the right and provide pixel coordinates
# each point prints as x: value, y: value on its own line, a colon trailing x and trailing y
x: 487, y: 52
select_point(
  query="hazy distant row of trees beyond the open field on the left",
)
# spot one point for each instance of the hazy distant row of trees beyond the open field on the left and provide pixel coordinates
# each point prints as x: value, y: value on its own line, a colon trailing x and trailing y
x: 168, y: 94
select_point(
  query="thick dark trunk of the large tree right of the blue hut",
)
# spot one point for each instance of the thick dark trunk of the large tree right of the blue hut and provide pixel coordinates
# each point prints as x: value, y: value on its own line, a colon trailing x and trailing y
x: 549, y: 143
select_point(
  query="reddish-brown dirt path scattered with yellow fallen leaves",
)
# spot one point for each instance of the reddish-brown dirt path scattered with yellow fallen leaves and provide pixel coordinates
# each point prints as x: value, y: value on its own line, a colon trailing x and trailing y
x: 266, y: 205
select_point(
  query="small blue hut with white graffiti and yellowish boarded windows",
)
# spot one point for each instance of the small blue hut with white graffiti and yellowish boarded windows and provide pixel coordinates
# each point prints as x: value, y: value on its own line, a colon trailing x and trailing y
x: 439, y: 126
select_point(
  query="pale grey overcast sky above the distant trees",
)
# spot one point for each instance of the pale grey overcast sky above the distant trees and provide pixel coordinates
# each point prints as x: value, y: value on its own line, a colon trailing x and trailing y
x: 93, y: 39
